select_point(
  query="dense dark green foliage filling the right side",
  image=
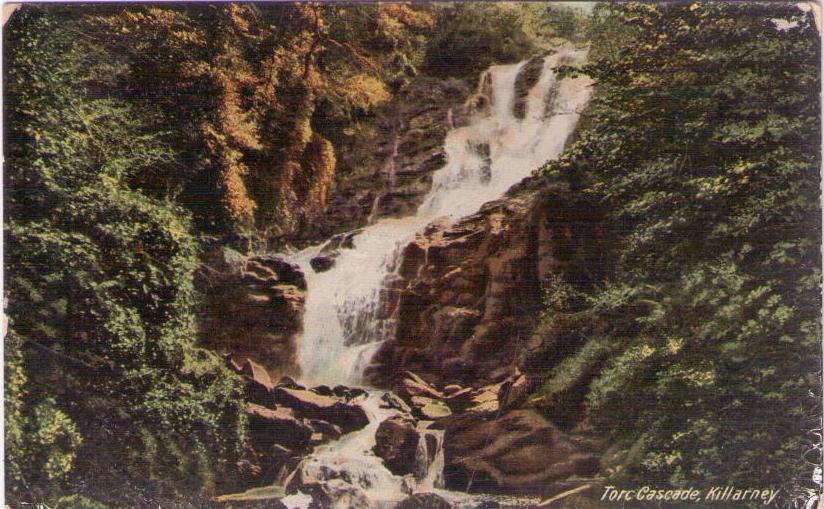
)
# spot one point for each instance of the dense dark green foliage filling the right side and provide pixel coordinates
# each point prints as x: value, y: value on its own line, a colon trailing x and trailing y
x: 702, y: 143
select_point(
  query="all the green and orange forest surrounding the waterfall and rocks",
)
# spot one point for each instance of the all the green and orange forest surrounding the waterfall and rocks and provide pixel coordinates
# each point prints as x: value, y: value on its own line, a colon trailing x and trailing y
x: 140, y: 136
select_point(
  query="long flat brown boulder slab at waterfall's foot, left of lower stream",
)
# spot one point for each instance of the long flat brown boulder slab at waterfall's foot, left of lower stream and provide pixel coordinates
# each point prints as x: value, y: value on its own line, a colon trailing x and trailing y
x: 348, y: 416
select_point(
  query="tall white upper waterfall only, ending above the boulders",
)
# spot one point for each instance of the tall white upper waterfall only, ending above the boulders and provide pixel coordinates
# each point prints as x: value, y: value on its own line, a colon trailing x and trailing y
x: 339, y: 326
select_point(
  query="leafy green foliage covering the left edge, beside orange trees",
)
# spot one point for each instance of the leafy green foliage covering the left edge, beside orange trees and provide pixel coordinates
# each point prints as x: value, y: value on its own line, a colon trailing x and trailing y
x: 100, y: 352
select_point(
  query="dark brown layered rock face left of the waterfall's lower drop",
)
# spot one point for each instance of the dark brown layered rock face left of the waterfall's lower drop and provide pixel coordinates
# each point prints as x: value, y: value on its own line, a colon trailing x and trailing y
x: 252, y: 308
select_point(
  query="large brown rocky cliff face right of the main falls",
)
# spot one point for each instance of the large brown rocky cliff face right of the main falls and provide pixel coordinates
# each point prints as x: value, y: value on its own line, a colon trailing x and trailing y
x: 469, y: 293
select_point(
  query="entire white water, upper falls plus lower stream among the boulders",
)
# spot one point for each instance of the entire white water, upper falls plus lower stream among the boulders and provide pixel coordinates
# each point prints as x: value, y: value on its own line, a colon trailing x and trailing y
x: 343, y: 326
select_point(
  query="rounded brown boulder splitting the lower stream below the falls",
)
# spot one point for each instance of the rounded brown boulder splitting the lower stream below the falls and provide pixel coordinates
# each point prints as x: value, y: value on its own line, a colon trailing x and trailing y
x: 396, y: 442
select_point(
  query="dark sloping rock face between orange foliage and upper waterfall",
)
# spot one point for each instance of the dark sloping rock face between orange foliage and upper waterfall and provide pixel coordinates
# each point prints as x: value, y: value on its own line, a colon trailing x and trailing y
x: 387, y: 169
